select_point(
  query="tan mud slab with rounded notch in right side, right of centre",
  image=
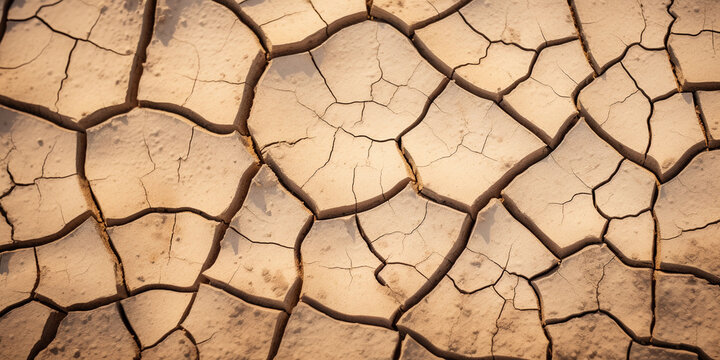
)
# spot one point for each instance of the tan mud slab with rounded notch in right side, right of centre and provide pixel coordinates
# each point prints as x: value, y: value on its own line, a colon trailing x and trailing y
x: 555, y: 194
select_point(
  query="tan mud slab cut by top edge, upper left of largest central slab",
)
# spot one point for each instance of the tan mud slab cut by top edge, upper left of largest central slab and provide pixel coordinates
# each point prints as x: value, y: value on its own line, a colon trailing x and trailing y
x: 190, y: 64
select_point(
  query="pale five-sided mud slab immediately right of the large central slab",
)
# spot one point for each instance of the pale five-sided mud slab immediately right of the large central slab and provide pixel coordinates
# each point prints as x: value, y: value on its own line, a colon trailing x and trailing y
x: 483, y: 142
